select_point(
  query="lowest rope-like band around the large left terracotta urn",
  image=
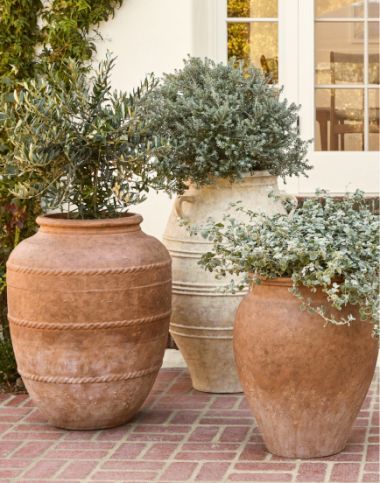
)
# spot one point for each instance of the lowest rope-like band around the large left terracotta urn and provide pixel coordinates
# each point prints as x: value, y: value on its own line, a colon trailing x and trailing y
x: 89, y: 380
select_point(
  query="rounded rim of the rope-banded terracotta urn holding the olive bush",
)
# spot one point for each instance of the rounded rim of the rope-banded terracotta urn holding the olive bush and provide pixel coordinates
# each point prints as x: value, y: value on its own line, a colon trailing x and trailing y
x: 58, y: 220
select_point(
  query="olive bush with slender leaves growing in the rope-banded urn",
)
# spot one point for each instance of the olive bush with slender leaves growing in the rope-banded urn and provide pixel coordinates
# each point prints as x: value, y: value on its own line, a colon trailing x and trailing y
x: 79, y: 145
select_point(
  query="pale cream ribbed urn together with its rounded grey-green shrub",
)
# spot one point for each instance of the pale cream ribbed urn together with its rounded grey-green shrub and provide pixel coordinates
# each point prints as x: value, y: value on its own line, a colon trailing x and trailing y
x: 230, y: 137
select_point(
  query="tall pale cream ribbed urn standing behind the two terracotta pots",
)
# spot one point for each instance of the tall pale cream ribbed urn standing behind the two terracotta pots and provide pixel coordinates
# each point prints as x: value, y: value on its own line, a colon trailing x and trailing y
x: 203, y: 315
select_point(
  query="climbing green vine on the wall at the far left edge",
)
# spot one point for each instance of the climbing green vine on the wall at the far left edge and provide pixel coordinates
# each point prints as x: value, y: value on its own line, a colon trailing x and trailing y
x: 34, y: 33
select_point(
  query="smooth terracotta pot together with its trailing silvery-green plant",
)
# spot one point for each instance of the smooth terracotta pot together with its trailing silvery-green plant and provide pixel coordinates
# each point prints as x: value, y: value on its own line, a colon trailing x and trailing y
x: 302, y: 335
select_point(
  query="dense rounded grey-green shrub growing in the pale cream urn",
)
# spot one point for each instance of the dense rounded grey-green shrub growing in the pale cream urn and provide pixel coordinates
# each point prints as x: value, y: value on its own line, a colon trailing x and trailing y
x: 223, y: 121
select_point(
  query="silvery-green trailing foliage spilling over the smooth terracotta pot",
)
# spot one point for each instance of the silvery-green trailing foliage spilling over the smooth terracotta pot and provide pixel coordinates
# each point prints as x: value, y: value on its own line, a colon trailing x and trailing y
x: 327, y: 243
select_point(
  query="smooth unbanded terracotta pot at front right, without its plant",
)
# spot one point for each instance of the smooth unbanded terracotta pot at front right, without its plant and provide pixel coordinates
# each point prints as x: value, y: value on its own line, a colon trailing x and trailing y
x: 304, y: 381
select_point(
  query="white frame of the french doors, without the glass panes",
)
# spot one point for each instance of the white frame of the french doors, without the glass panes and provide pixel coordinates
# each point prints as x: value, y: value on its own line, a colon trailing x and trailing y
x: 336, y: 171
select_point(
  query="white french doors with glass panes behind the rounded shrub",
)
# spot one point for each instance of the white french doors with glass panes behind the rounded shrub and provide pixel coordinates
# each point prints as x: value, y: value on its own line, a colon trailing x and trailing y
x: 326, y: 55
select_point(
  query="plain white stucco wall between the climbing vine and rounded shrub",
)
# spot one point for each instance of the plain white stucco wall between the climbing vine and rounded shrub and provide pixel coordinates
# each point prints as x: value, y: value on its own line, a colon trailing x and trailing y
x: 147, y: 36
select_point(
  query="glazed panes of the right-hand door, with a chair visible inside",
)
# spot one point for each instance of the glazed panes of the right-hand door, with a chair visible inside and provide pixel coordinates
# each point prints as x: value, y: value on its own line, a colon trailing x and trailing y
x: 346, y: 55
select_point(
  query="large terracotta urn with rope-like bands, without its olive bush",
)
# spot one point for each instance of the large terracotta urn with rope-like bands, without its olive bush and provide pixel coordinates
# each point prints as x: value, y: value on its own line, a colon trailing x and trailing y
x: 89, y: 307
